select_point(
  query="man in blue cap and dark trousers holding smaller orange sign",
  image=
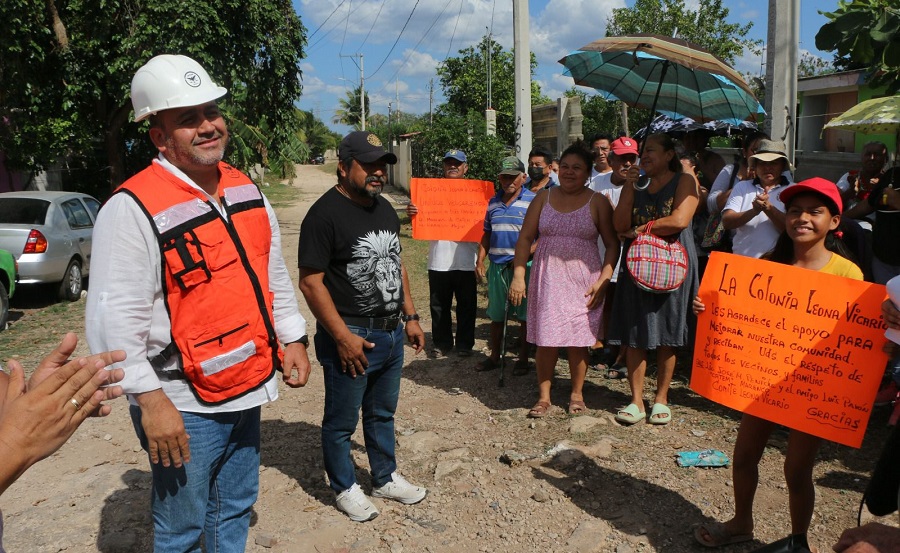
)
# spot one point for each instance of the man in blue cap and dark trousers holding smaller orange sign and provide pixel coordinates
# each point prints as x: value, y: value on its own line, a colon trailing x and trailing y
x: 451, y: 272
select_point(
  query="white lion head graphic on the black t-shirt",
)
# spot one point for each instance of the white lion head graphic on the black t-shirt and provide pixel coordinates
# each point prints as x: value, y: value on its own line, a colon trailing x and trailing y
x: 375, y: 272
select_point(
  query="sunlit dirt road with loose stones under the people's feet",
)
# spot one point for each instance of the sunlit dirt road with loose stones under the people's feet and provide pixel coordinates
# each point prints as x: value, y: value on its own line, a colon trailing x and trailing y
x: 498, y: 482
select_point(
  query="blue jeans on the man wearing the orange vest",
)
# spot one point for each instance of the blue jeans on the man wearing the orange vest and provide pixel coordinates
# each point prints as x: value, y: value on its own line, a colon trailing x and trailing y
x: 214, y: 493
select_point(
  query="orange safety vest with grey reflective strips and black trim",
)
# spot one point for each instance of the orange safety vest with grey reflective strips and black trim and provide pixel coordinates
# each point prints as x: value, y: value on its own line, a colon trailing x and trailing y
x: 215, y: 279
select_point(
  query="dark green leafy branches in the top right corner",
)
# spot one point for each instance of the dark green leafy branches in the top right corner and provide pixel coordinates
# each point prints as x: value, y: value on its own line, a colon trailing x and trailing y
x: 865, y: 35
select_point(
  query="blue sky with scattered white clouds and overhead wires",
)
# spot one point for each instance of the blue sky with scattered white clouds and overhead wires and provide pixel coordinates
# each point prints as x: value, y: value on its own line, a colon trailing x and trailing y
x: 403, y: 41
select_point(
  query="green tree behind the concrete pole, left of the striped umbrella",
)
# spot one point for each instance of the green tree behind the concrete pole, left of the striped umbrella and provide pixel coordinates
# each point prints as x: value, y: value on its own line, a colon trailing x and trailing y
x: 464, y: 82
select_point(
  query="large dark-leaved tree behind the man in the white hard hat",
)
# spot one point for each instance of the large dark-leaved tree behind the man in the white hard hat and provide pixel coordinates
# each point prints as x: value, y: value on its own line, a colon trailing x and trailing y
x: 67, y: 68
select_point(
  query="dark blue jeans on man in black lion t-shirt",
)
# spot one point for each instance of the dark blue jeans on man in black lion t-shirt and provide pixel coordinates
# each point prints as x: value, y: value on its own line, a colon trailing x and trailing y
x: 375, y: 392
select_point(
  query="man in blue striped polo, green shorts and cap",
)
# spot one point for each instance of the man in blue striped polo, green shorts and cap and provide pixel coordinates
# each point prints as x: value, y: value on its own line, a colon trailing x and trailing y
x: 505, y: 215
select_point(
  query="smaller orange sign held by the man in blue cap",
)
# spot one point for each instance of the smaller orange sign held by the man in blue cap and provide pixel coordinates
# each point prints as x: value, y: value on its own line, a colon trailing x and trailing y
x: 450, y: 209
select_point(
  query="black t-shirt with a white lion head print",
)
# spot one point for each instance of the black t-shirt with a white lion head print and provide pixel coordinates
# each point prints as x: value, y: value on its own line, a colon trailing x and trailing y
x: 358, y: 249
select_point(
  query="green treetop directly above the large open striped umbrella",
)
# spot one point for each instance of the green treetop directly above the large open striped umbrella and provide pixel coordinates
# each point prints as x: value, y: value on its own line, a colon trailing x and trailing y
x: 707, y: 26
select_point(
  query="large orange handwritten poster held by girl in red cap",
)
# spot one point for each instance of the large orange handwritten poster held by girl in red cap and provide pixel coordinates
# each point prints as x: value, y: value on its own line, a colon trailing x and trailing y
x: 793, y: 346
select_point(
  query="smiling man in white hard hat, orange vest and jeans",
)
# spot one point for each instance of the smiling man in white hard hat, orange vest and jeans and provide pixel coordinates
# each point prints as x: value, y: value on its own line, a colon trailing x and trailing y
x: 189, y: 280
